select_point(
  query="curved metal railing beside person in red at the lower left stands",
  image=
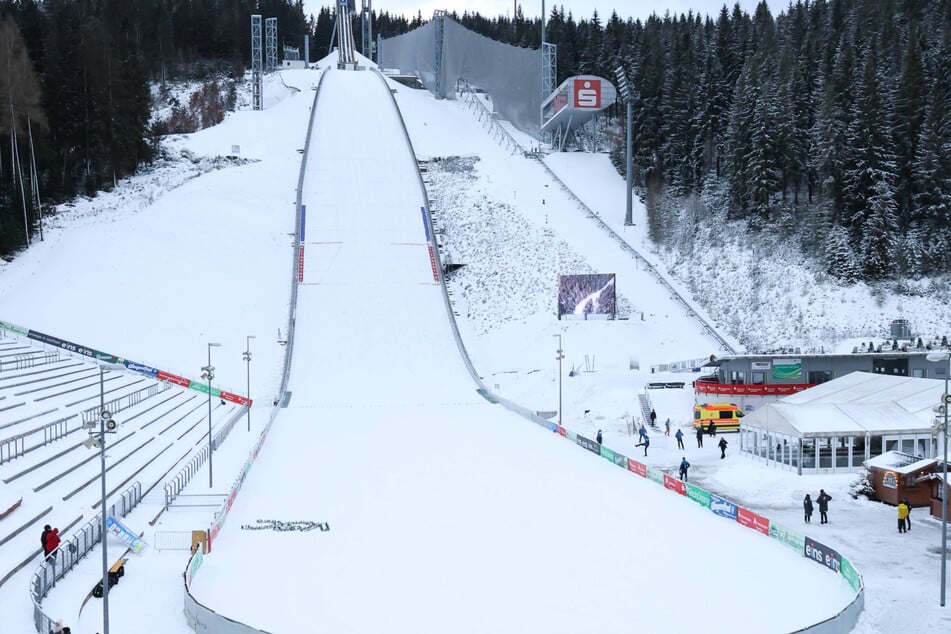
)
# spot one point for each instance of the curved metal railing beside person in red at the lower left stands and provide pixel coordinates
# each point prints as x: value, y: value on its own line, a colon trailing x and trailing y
x: 71, y: 551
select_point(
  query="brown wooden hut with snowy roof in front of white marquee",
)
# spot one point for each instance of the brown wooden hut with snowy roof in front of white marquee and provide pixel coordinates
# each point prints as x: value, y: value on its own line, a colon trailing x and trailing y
x: 895, y: 475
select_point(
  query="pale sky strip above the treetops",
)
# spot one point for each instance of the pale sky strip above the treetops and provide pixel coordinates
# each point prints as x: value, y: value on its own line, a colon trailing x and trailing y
x: 638, y: 9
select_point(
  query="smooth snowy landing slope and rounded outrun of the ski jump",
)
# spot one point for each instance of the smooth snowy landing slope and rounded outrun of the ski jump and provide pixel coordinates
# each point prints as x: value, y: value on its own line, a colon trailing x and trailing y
x: 447, y: 513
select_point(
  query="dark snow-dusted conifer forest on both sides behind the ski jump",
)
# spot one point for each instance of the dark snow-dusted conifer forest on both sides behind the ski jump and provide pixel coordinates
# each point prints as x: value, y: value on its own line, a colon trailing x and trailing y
x: 829, y: 123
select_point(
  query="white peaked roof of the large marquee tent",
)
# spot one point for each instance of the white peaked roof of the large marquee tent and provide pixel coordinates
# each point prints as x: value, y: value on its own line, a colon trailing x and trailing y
x: 854, y: 405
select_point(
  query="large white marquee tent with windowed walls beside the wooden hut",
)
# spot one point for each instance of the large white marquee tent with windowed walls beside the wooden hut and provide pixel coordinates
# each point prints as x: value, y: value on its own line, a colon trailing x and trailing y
x: 837, y: 425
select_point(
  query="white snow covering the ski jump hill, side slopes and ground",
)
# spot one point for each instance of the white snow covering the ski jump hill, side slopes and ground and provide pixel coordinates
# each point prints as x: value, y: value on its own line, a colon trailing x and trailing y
x: 443, y: 509
